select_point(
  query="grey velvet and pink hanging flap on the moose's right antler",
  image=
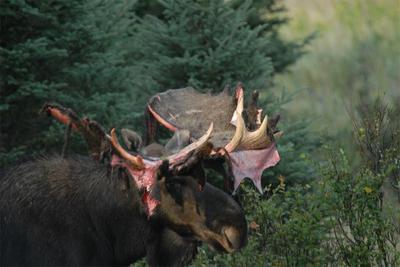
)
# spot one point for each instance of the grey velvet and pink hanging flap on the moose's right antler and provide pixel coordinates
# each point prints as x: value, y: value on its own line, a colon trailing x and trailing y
x: 189, y: 109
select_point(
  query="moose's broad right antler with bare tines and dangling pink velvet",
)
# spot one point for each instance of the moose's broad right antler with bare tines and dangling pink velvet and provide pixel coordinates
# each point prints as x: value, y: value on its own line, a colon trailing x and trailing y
x: 246, y: 143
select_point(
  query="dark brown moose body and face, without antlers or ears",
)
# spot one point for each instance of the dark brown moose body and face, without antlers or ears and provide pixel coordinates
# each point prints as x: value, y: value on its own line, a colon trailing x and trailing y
x: 57, y: 211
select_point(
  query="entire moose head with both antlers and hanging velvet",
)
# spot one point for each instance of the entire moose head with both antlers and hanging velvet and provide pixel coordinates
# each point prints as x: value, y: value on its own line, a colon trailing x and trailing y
x: 170, y: 179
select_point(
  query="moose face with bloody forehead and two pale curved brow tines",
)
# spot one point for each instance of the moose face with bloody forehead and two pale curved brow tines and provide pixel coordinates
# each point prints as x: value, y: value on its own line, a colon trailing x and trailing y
x: 181, y: 199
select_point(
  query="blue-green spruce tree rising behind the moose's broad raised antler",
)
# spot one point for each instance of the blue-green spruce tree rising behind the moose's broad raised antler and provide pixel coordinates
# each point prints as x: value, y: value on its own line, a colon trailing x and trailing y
x: 208, y: 44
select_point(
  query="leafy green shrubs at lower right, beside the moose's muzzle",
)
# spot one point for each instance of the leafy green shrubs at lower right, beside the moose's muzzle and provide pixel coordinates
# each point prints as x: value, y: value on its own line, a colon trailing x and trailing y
x: 342, y: 218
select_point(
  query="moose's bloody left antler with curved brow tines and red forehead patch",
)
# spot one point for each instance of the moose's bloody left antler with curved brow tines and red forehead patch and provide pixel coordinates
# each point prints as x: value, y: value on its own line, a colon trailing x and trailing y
x: 142, y: 170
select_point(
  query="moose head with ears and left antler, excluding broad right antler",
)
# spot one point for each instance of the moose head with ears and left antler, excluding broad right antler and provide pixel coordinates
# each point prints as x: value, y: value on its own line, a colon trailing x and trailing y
x: 172, y: 184
